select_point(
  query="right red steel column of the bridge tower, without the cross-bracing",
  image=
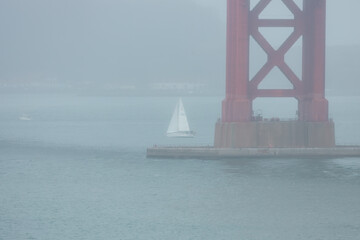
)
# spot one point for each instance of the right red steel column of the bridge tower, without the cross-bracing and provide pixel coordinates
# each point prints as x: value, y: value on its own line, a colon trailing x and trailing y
x: 314, y: 106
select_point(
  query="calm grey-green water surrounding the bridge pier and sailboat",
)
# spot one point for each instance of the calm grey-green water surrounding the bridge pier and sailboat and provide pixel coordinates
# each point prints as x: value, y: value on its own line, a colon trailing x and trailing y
x: 77, y: 170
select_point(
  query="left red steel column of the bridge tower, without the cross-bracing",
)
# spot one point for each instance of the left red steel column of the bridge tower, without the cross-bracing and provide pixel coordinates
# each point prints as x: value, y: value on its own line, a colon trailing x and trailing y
x: 237, y: 106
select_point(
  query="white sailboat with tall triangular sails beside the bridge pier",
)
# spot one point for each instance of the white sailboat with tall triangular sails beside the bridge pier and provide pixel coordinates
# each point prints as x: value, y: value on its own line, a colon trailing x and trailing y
x: 179, y: 126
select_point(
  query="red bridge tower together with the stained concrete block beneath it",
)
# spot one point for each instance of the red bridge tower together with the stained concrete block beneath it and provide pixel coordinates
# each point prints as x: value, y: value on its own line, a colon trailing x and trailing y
x: 238, y: 127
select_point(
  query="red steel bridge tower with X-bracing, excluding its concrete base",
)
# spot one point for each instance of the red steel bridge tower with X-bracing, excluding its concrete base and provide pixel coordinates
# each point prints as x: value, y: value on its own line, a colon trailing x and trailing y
x: 308, y: 23
